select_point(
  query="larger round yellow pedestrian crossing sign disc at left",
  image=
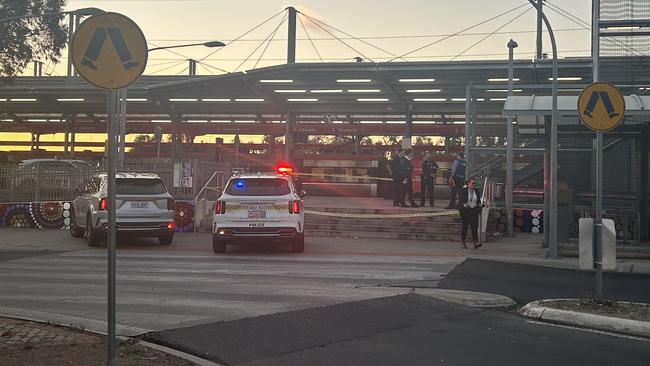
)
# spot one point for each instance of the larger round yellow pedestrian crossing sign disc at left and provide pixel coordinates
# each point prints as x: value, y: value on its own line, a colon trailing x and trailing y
x: 109, y: 50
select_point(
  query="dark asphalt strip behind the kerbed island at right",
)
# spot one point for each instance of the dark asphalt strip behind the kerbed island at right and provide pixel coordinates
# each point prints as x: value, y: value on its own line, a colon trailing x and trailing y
x: 525, y: 283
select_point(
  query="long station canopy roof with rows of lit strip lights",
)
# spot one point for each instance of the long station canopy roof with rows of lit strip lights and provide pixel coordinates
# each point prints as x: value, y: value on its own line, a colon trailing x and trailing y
x: 322, y: 98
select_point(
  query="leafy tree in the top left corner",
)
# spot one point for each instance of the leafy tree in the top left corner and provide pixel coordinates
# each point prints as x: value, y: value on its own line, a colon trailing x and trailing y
x: 31, y: 39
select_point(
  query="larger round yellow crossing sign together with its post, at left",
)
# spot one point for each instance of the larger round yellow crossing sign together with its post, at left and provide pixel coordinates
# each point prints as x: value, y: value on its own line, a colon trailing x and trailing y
x: 110, y: 51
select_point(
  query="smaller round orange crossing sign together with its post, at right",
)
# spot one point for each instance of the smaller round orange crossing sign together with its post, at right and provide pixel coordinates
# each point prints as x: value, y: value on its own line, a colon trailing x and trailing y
x: 601, y: 107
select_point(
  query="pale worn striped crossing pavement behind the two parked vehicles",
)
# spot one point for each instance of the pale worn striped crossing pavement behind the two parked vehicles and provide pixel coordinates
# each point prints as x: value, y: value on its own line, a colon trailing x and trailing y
x: 47, y: 274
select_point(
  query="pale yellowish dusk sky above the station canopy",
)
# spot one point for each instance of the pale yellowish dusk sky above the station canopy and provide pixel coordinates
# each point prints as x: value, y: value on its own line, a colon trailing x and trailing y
x: 394, y: 27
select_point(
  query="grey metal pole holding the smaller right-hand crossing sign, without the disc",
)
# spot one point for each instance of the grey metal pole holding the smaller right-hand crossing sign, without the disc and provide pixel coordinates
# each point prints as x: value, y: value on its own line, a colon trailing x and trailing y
x: 598, y: 255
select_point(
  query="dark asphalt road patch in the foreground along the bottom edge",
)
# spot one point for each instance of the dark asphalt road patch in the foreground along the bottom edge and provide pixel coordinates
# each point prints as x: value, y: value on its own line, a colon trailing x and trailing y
x: 401, y: 330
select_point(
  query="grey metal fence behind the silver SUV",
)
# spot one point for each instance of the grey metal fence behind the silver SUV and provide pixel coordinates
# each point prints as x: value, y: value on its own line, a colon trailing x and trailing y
x: 58, y: 182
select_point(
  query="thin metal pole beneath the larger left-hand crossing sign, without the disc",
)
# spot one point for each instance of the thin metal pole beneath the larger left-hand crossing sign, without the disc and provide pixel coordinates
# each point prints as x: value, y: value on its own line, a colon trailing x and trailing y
x: 112, y: 227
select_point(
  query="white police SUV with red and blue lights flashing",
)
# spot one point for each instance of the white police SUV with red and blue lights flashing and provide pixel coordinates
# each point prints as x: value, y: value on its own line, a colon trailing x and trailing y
x: 260, y: 208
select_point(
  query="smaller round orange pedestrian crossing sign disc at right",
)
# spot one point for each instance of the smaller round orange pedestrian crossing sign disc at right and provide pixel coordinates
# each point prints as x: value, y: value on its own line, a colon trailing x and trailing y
x: 601, y: 106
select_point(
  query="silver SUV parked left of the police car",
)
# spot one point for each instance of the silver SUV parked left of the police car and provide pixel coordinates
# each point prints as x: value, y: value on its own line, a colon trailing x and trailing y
x: 143, y: 208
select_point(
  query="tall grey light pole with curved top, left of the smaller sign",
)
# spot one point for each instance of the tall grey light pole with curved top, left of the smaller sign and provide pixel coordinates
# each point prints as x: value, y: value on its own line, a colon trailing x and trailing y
x: 550, y: 220
